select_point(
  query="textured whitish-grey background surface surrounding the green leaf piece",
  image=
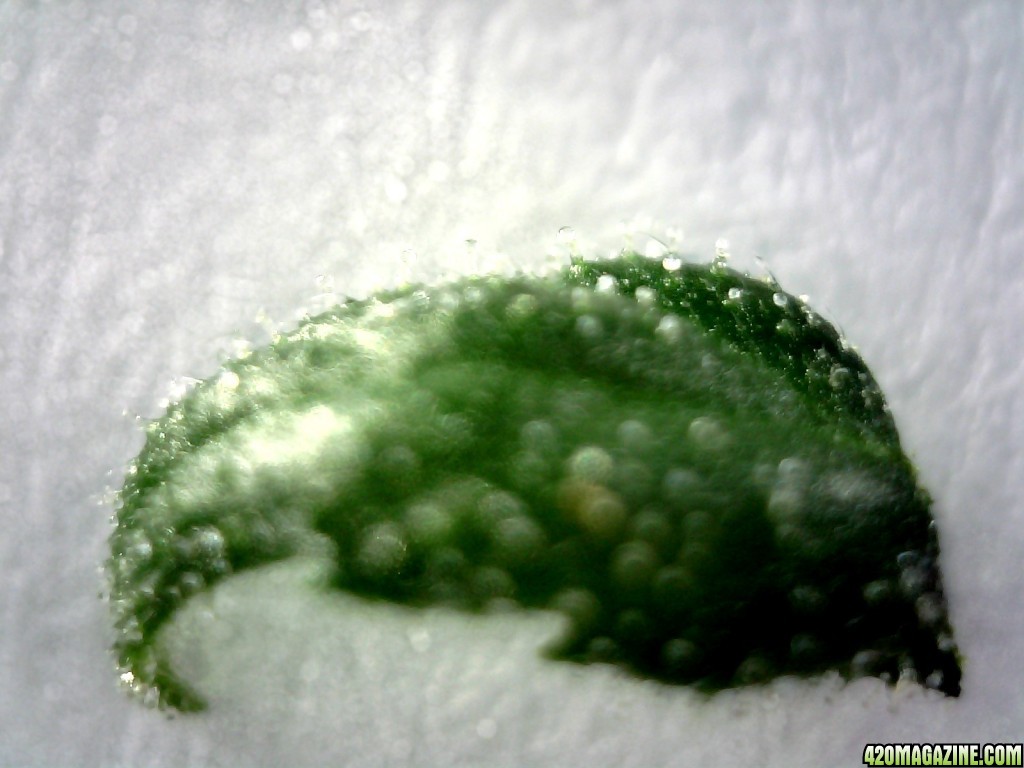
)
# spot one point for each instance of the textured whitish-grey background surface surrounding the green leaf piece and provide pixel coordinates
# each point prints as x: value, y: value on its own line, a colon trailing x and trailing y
x: 170, y: 172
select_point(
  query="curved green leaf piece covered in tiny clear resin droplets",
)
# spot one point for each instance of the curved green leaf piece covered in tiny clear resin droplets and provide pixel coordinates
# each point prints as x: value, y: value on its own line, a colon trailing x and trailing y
x: 690, y: 463
